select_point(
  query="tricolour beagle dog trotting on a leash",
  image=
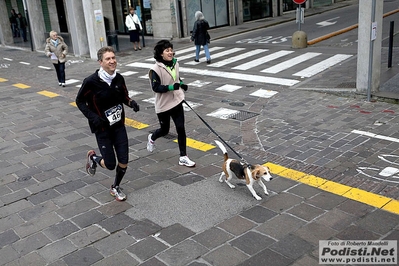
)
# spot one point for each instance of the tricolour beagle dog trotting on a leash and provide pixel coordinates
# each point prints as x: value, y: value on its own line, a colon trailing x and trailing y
x: 250, y: 173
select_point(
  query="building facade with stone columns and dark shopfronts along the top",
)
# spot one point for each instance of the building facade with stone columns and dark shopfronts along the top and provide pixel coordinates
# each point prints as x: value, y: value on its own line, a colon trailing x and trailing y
x: 85, y: 25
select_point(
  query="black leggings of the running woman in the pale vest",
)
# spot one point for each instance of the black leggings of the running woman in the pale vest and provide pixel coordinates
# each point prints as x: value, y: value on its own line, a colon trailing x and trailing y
x: 177, y: 115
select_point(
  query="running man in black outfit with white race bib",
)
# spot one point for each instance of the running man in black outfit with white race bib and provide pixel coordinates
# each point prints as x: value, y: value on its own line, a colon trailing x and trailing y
x: 100, y: 99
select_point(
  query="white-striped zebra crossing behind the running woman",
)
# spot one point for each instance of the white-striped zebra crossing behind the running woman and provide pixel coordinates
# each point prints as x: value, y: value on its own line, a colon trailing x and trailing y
x: 237, y: 58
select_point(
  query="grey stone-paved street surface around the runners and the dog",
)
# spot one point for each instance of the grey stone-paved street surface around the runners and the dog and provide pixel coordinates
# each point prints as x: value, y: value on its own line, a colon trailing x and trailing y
x: 322, y: 149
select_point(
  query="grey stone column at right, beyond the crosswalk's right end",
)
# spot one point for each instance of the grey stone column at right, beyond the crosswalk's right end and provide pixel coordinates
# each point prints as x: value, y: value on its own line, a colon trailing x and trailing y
x: 368, y: 57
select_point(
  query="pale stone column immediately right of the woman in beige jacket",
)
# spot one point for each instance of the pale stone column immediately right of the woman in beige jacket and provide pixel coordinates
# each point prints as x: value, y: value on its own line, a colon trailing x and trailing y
x: 77, y: 27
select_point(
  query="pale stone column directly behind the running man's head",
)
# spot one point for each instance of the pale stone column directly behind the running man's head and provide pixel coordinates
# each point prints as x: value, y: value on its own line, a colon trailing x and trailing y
x: 95, y: 27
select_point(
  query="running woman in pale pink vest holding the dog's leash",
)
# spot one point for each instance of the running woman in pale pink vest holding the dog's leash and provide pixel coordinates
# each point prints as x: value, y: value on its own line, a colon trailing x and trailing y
x: 169, y: 96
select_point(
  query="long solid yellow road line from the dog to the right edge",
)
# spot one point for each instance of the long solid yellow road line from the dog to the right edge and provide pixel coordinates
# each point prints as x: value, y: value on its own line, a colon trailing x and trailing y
x: 357, y: 194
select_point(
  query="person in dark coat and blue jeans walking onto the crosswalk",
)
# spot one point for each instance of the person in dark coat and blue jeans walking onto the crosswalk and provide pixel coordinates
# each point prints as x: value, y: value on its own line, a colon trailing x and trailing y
x: 200, y: 36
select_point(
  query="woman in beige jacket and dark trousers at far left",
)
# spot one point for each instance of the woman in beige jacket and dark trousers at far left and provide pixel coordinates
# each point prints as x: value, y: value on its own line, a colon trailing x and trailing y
x: 57, y: 50
